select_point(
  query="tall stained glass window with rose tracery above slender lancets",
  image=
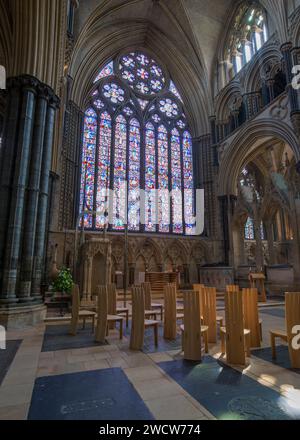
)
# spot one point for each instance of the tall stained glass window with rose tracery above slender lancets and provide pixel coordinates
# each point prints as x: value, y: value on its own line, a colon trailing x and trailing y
x: 137, y: 167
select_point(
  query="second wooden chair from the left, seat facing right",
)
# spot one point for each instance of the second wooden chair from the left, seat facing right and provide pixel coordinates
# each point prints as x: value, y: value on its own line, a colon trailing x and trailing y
x: 104, y: 319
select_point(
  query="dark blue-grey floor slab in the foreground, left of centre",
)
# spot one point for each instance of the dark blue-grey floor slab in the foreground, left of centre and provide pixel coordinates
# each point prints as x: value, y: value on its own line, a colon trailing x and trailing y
x: 91, y: 395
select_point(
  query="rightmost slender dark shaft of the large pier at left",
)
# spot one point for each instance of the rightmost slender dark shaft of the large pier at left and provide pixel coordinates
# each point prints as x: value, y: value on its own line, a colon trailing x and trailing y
x: 39, y: 251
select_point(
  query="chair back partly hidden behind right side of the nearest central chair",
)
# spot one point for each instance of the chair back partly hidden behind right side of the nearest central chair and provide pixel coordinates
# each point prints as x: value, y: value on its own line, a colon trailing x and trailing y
x: 209, y: 311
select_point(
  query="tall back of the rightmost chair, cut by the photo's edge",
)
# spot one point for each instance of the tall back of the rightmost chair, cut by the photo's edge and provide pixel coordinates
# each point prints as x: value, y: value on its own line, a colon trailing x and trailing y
x: 292, y: 317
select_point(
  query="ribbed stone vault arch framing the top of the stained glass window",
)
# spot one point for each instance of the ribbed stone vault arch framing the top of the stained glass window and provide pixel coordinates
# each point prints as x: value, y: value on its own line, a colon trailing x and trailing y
x: 106, y: 33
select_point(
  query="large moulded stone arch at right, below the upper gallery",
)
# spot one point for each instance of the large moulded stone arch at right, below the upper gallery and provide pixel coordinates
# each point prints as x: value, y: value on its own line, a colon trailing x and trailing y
x: 246, y: 143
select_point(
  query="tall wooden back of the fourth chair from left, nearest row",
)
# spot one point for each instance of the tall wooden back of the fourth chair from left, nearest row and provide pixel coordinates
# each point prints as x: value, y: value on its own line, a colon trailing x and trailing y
x: 192, y: 326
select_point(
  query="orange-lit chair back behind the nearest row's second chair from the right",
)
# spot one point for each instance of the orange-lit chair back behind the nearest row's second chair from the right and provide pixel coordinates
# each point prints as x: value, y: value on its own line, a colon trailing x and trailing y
x: 251, y: 317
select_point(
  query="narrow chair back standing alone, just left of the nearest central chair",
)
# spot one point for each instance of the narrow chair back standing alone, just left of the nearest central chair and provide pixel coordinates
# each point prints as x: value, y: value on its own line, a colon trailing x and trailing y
x: 170, y: 316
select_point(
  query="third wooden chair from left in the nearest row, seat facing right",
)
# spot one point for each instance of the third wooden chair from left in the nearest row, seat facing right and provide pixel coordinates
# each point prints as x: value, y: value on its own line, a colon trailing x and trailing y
x: 139, y: 323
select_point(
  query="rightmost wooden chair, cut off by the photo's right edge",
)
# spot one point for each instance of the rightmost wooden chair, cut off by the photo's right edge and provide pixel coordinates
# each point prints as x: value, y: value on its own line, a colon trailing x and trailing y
x: 292, y: 319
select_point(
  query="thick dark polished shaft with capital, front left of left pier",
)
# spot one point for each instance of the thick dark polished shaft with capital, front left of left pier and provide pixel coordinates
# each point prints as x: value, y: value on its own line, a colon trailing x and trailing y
x: 21, y: 150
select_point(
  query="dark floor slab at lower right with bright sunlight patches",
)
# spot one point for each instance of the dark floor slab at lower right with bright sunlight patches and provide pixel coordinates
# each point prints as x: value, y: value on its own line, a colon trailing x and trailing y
x: 227, y: 393
